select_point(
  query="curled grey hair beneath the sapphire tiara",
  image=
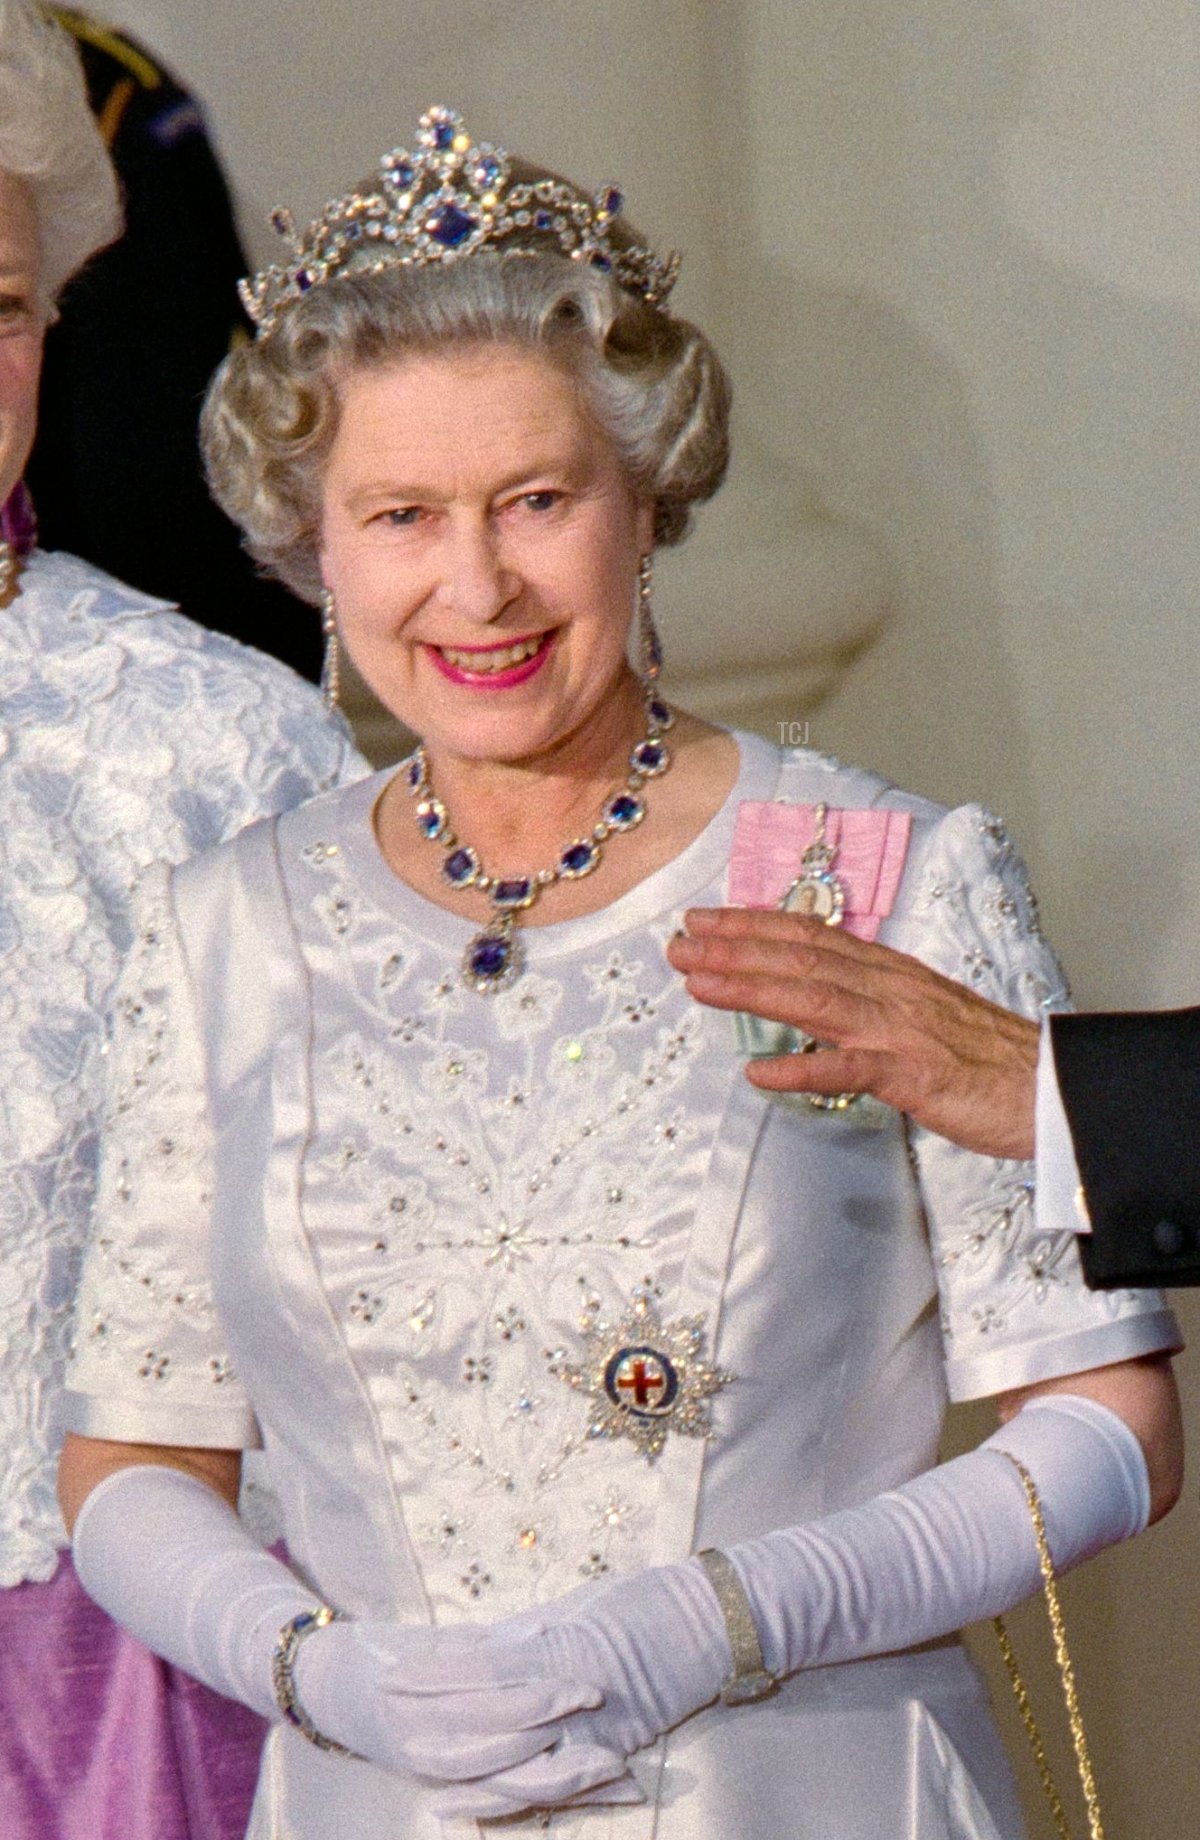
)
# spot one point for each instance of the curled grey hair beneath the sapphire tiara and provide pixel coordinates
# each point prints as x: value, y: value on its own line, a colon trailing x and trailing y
x: 652, y: 382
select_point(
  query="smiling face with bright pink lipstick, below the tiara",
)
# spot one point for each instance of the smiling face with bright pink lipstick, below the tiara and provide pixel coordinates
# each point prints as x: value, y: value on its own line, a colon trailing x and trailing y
x: 481, y: 544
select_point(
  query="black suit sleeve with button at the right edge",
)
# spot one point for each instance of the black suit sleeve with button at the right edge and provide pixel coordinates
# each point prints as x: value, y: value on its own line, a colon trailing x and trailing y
x: 1131, y: 1090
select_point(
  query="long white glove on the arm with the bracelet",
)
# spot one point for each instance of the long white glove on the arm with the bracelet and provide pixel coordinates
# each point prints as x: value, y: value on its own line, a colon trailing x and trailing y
x: 444, y: 1707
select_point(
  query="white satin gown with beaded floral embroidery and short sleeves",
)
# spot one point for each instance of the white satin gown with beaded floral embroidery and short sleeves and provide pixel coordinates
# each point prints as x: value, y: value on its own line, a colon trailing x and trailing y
x: 398, y: 1230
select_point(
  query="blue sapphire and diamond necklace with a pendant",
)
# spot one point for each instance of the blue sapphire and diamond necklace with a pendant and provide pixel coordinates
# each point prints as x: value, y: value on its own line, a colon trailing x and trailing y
x: 494, y: 958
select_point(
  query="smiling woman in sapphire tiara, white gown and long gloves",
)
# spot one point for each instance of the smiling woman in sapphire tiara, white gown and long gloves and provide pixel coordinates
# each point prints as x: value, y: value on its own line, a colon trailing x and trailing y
x: 428, y: 1169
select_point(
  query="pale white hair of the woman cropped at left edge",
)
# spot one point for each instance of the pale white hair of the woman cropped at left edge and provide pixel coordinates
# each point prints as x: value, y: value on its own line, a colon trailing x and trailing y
x: 51, y: 139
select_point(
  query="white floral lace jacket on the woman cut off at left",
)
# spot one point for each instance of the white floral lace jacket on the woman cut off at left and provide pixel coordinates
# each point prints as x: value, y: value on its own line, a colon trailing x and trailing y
x: 128, y: 735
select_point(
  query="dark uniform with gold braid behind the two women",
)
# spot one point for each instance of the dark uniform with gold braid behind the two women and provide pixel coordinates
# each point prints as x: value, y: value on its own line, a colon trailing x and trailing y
x: 117, y: 474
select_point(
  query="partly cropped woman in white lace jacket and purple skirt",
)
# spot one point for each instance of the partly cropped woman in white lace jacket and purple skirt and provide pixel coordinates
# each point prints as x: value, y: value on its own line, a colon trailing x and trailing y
x: 126, y: 735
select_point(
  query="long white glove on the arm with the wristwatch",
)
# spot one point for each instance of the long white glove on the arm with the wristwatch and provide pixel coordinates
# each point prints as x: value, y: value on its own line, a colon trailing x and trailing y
x: 945, y: 1550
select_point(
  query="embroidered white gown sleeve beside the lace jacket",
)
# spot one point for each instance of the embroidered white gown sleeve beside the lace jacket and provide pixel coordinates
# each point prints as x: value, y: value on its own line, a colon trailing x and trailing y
x: 148, y: 1361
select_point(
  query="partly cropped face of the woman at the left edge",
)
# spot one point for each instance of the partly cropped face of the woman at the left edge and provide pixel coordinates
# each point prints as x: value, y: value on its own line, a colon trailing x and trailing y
x: 21, y: 328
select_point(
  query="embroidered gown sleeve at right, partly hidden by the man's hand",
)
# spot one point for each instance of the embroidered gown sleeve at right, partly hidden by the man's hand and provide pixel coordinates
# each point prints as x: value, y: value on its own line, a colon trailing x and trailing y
x: 1013, y: 1298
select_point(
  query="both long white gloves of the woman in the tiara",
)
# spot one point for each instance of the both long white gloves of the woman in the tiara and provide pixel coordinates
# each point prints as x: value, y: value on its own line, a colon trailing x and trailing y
x: 546, y: 1708
